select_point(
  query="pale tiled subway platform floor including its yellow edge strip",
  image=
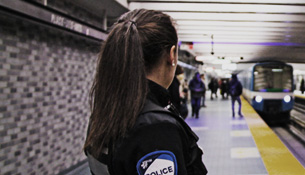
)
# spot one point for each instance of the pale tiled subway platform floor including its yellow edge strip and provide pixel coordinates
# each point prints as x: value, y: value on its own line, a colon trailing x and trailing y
x: 236, y: 146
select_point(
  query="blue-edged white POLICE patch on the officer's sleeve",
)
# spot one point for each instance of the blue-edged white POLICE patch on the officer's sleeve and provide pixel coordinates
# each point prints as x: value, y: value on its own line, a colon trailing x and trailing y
x: 158, y: 163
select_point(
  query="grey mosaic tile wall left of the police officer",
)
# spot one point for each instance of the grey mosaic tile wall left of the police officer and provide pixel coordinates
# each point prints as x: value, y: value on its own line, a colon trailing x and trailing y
x: 45, y: 77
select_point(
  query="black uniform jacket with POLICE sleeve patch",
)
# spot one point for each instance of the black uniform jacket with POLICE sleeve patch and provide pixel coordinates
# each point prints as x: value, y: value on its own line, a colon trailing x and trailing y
x: 159, y: 135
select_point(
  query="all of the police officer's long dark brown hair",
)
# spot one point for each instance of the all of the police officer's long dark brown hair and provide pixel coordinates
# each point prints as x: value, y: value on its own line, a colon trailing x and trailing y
x: 133, y: 48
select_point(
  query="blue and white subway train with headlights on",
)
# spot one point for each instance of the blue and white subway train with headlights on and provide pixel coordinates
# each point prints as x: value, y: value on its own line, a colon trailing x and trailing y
x: 268, y: 87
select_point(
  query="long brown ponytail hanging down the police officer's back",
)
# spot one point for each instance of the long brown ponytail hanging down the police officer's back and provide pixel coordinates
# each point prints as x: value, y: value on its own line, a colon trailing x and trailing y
x: 119, y: 89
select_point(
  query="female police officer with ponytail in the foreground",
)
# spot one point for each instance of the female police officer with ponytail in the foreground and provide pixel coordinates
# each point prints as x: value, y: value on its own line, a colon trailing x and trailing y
x: 133, y: 128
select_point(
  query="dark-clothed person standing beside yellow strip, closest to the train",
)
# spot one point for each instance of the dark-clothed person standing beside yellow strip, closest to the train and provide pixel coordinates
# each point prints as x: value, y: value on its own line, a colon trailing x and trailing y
x: 235, y: 89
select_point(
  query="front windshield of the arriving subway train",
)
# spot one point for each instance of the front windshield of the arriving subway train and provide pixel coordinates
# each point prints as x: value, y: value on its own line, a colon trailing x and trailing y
x: 273, y: 78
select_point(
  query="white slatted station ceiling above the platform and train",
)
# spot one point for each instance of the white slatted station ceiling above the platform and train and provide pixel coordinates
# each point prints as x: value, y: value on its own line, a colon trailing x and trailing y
x: 234, y: 30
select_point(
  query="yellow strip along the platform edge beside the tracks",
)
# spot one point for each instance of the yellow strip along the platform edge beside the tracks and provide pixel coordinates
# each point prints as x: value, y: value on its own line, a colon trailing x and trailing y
x: 277, y: 159
